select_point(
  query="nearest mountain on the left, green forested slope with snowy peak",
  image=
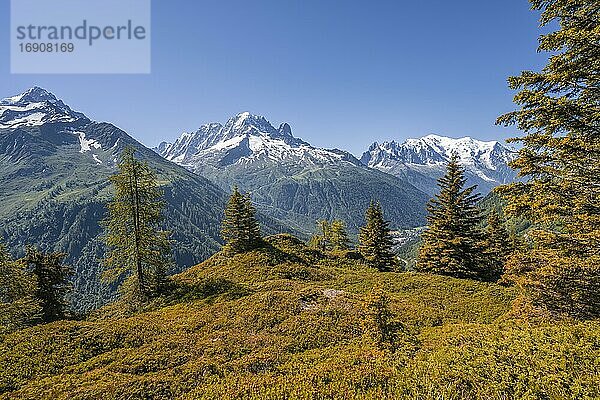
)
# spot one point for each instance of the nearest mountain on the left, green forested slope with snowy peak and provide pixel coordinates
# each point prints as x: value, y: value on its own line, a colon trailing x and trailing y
x: 54, y: 169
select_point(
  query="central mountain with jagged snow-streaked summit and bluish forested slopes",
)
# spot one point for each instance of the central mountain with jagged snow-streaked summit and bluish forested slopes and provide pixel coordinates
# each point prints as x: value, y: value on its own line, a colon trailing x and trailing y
x: 290, y: 179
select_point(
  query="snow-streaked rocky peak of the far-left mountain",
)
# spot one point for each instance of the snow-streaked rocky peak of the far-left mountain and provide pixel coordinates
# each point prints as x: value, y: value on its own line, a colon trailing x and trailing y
x: 35, y: 107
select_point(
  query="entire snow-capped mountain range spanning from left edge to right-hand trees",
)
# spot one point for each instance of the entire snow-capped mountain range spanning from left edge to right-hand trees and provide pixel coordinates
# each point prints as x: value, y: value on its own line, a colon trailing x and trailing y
x: 55, y: 163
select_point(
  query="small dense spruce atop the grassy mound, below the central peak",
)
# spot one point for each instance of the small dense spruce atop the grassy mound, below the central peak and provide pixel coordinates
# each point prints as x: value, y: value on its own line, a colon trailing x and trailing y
x: 240, y: 229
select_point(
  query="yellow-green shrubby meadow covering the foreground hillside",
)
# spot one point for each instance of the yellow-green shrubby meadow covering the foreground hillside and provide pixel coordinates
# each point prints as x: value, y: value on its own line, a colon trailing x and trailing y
x: 289, y: 322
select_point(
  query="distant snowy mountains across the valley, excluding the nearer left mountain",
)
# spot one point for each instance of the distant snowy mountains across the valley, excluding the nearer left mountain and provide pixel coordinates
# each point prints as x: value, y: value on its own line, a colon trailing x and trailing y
x: 299, y: 183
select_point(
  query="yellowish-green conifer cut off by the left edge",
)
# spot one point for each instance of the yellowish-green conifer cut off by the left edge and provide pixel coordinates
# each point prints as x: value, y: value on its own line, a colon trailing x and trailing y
x: 18, y: 305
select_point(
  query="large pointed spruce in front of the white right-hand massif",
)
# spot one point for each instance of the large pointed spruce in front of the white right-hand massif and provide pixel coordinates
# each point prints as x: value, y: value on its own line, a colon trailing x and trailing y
x: 452, y: 241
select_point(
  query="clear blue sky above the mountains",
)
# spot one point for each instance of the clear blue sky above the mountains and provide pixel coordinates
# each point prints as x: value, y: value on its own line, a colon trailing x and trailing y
x: 342, y: 73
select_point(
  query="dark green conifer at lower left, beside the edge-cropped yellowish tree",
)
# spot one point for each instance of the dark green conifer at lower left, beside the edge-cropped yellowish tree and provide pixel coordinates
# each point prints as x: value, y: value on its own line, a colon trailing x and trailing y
x: 52, y: 282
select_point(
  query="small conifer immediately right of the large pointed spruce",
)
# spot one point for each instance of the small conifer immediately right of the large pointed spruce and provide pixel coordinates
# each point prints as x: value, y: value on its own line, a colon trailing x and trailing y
x: 497, y: 246
